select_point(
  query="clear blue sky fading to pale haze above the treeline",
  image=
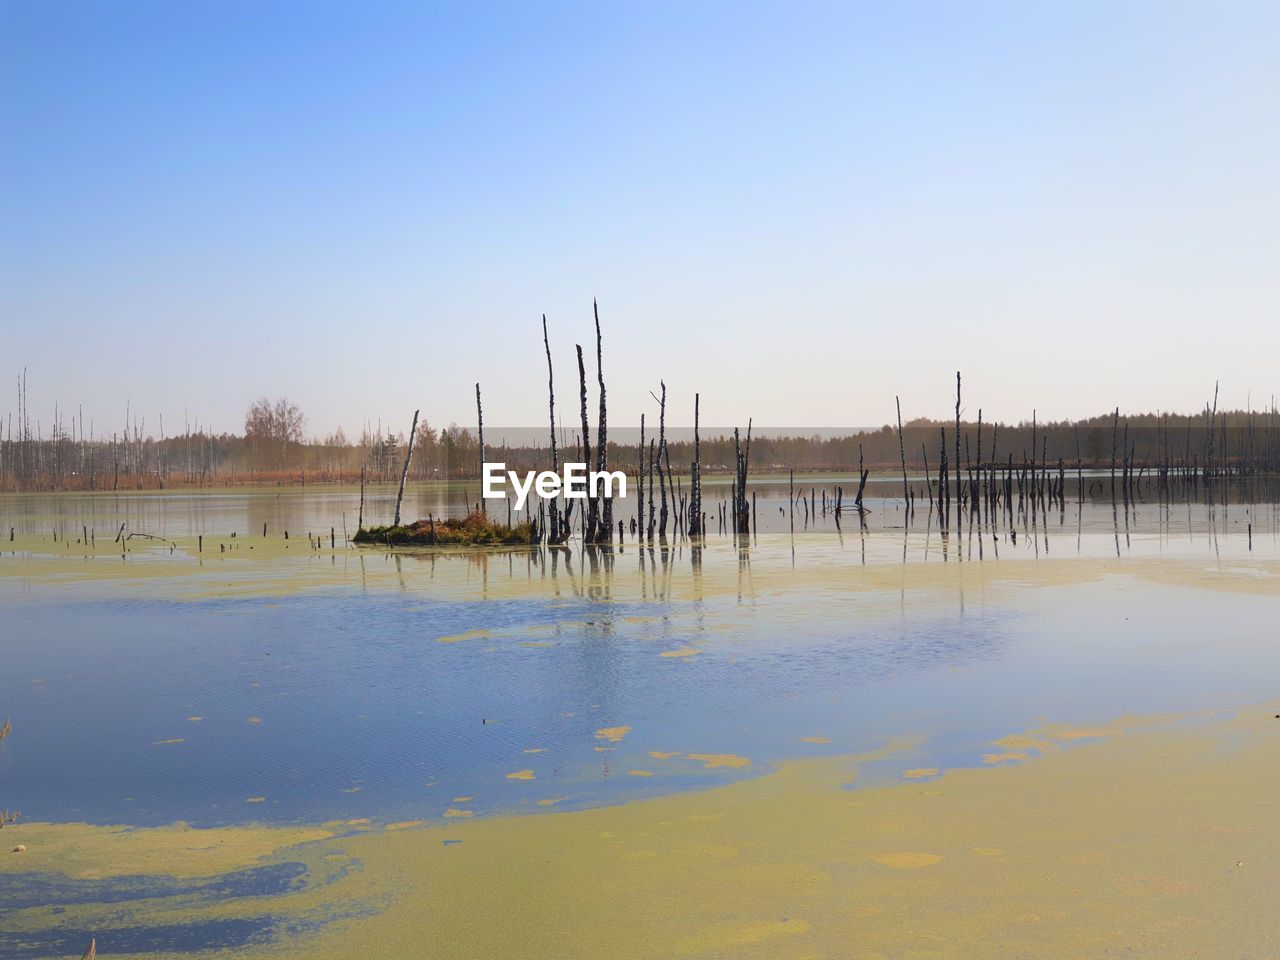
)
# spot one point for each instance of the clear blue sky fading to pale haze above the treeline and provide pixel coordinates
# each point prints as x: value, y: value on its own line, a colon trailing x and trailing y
x: 798, y: 209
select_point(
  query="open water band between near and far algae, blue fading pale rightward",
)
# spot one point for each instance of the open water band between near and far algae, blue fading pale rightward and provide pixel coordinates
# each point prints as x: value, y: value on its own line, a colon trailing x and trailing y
x: 345, y: 706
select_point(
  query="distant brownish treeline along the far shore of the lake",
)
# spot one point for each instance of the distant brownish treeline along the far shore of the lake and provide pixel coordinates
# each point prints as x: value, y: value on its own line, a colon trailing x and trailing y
x: 272, y: 451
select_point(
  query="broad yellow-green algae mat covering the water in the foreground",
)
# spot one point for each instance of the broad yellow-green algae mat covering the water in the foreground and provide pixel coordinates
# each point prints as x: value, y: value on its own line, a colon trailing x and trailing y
x: 1154, y: 843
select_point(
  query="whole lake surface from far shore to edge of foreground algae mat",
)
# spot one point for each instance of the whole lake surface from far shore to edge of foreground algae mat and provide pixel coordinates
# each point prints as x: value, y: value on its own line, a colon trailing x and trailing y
x: 305, y: 683
